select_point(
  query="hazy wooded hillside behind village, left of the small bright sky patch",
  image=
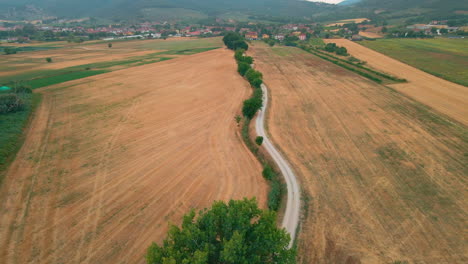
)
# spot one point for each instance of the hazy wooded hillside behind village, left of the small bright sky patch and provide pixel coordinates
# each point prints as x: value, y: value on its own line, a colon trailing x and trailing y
x: 177, y: 8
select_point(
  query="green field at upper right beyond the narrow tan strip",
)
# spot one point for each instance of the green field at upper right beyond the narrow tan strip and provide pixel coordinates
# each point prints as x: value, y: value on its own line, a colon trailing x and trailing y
x: 445, y: 58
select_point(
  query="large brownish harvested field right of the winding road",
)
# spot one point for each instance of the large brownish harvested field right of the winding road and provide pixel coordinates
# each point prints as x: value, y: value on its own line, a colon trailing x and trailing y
x: 384, y: 176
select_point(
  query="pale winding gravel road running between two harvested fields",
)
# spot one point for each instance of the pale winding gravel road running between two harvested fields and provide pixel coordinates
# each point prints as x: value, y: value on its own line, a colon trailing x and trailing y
x: 293, y: 206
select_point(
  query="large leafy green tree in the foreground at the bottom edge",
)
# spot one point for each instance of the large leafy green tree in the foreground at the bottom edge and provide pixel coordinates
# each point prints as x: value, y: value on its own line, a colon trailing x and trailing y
x: 230, y: 233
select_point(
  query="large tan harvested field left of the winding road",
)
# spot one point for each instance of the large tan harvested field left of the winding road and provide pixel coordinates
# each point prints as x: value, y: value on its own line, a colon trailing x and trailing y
x: 110, y: 160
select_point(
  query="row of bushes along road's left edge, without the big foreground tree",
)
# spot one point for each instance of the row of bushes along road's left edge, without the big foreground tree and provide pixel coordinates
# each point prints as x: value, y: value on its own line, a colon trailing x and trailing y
x: 249, y: 109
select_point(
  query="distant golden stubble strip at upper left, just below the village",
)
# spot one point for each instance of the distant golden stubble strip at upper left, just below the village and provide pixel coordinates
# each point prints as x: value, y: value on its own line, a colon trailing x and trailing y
x: 66, y: 55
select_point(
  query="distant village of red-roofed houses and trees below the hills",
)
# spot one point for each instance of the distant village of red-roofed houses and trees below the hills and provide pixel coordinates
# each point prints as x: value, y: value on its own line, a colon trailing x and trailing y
x: 84, y: 29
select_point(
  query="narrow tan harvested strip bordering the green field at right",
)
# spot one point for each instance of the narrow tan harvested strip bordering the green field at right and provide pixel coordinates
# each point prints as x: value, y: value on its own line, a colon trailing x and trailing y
x: 444, y: 96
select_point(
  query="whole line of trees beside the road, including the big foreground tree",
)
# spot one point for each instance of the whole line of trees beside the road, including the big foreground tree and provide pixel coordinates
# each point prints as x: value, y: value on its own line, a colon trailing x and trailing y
x: 237, y: 232
